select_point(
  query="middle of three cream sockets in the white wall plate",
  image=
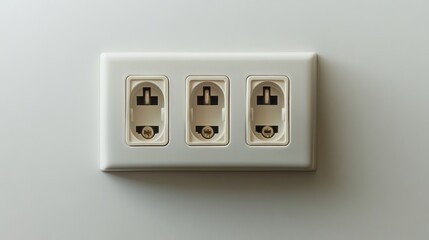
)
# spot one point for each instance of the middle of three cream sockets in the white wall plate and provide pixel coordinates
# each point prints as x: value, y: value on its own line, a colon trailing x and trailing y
x: 207, y: 110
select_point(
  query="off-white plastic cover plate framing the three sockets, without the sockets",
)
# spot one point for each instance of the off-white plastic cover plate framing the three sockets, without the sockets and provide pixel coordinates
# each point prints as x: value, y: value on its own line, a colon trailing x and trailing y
x: 116, y: 155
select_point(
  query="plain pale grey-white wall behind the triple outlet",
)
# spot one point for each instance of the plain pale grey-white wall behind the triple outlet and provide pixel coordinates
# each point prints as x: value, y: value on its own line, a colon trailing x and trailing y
x: 373, y: 117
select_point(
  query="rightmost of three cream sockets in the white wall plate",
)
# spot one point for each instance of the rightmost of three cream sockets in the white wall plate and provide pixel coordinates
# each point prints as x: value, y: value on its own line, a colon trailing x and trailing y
x: 267, y: 118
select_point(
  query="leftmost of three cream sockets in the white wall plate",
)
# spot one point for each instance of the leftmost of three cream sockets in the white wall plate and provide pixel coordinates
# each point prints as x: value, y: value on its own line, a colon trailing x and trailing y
x: 146, y: 110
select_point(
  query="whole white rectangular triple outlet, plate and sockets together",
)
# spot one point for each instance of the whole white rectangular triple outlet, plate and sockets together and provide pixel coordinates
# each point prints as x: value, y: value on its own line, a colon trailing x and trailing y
x: 280, y: 87
